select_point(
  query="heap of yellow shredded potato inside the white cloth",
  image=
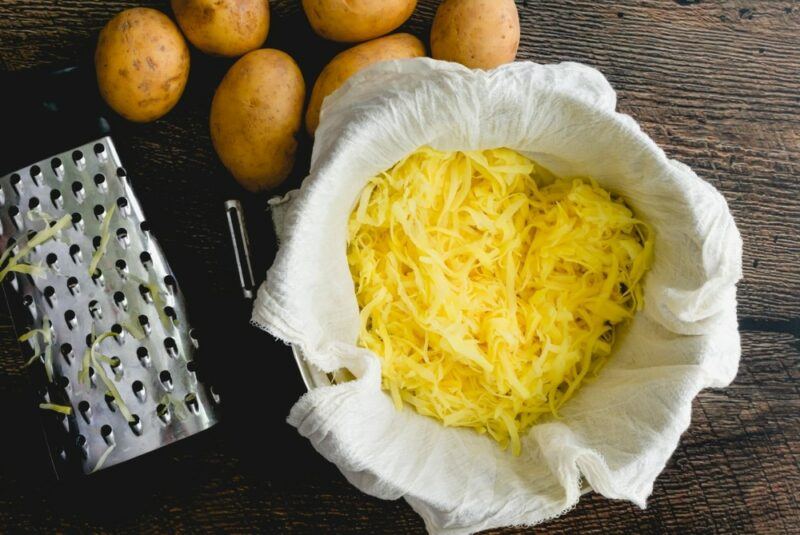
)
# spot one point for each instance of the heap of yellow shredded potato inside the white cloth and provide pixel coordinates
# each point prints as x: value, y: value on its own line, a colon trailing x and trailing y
x: 488, y: 289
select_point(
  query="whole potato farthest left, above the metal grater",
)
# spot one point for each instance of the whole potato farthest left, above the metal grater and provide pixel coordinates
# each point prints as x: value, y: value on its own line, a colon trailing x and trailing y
x: 142, y: 64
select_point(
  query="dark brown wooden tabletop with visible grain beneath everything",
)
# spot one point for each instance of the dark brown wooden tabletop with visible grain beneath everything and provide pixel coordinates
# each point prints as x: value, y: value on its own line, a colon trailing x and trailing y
x: 716, y: 84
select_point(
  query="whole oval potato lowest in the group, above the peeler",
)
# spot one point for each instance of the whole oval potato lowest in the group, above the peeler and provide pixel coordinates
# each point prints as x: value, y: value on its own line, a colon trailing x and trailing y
x: 255, y: 115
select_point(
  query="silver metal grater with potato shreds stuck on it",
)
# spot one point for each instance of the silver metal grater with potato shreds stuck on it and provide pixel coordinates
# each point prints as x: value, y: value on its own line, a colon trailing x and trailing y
x: 149, y: 355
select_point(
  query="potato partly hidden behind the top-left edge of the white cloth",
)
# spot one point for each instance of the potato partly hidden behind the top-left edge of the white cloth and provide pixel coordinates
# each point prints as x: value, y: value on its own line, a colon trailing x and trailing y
x: 352, y: 60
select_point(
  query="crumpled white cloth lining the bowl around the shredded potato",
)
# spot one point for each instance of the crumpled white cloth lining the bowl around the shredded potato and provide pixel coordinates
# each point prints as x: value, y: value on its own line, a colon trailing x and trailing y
x: 618, y: 432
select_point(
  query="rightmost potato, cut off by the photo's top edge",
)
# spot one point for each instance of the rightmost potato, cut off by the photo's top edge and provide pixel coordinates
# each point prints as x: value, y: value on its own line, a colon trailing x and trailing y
x: 480, y: 34
